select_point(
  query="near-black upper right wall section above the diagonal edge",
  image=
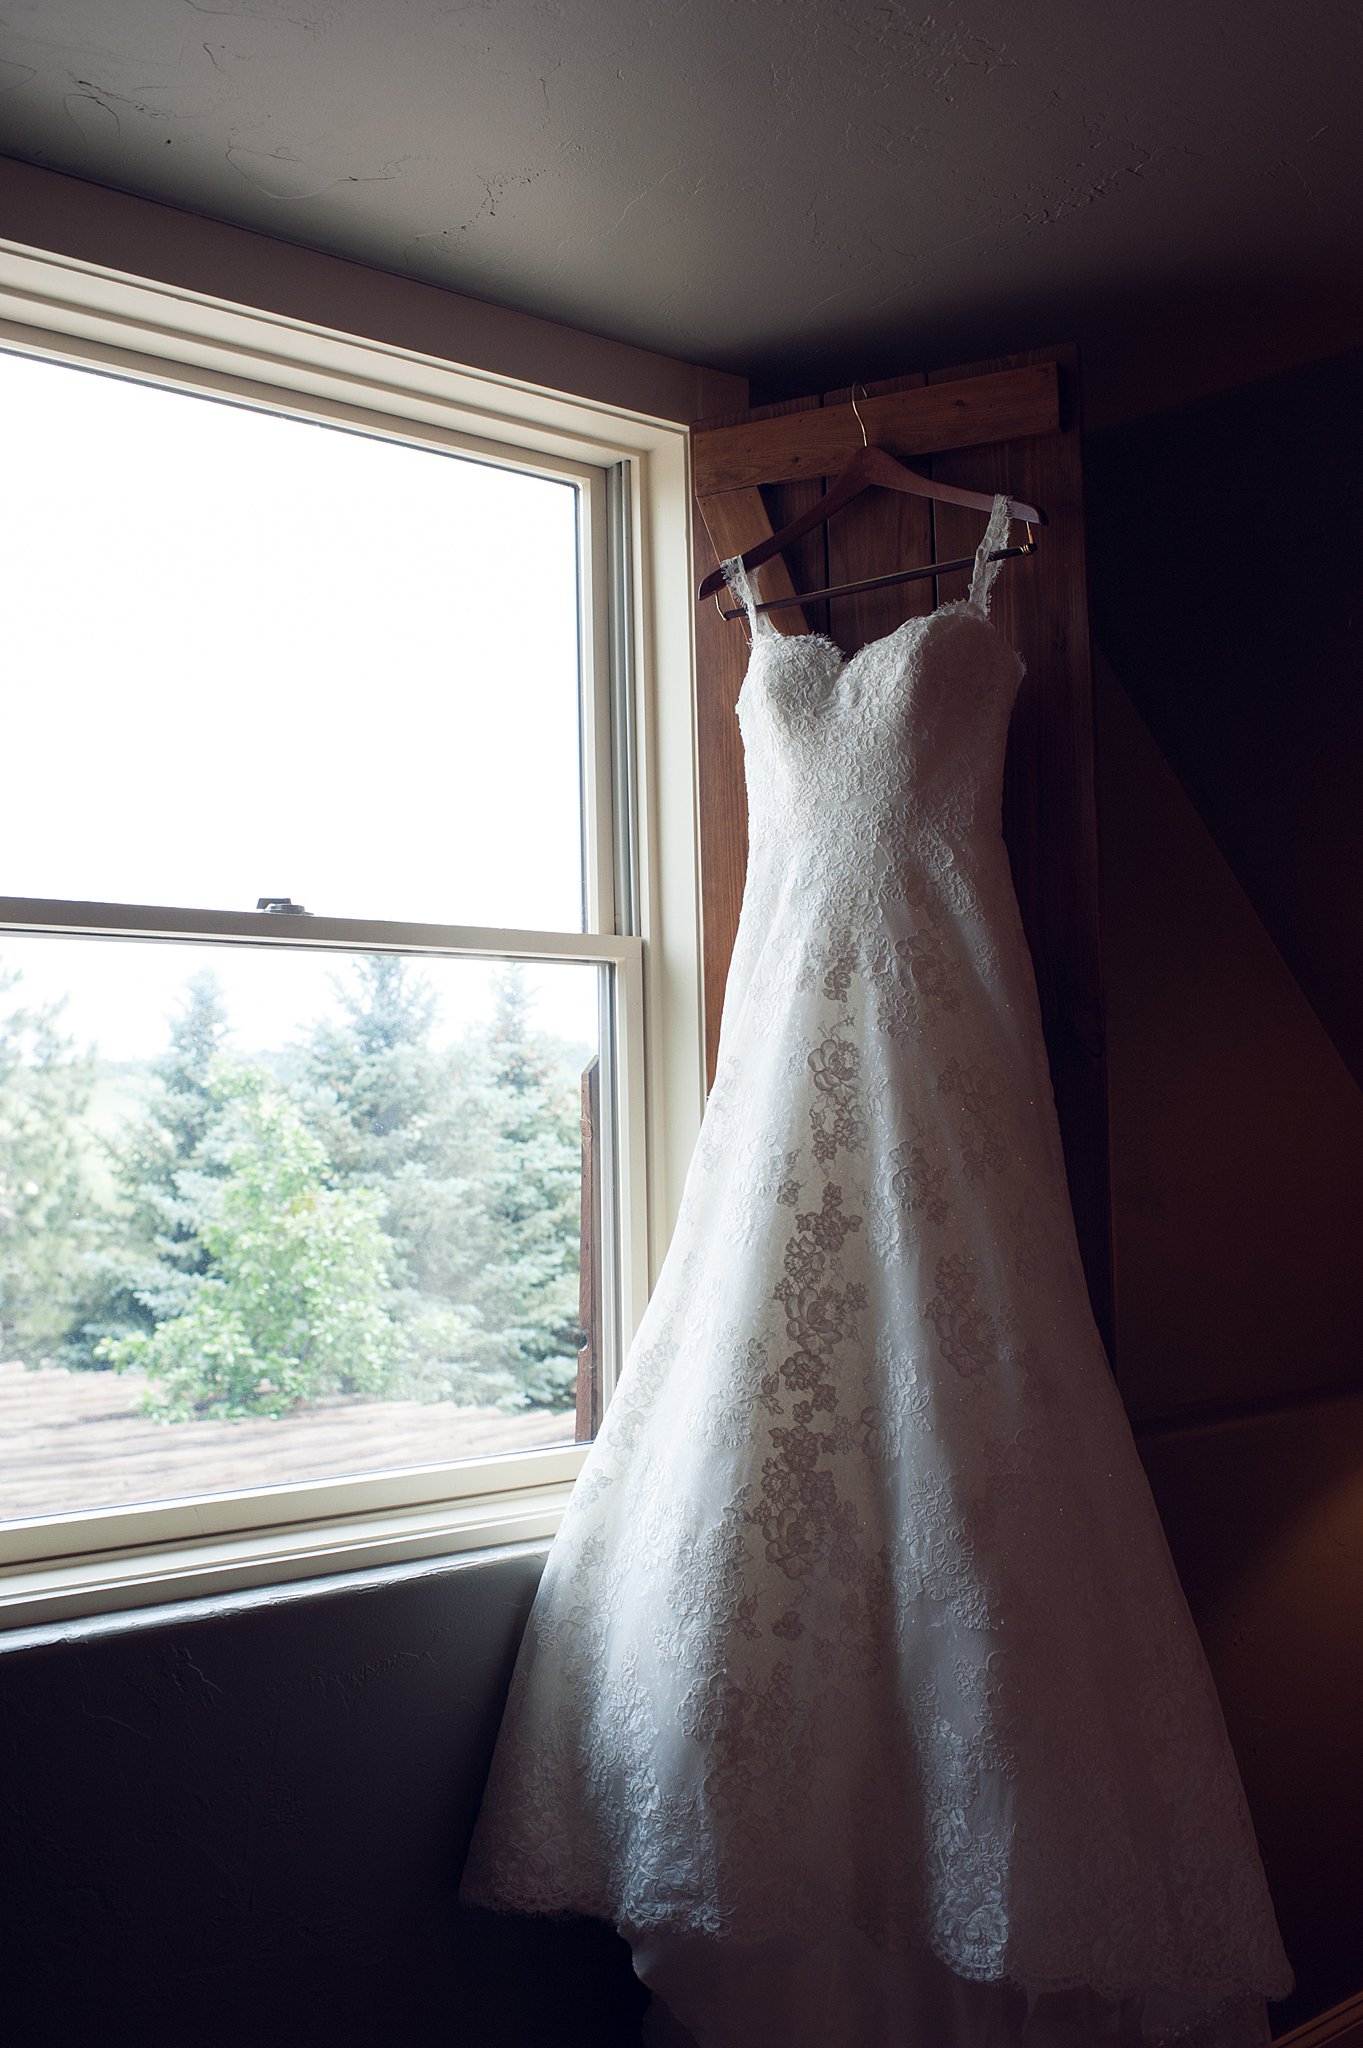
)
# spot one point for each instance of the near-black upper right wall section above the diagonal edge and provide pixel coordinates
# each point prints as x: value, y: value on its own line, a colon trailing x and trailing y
x: 1225, y: 548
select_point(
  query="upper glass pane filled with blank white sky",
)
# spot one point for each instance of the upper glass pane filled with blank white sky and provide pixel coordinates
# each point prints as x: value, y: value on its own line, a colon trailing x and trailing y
x: 251, y: 656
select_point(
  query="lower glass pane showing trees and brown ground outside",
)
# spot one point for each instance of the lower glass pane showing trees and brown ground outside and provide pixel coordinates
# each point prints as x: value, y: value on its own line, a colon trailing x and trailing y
x: 275, y: 1215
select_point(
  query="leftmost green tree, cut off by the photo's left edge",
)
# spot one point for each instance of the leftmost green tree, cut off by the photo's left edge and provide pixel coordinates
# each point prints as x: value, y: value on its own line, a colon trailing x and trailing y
x: 44, y: 1199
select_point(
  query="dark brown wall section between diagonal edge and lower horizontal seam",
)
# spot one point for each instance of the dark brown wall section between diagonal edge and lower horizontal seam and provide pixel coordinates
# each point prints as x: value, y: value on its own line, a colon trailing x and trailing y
x: 1237, y: 1129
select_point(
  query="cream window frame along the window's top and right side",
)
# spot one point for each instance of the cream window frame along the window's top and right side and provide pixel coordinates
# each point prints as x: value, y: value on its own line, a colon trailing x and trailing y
x: 87, y: 314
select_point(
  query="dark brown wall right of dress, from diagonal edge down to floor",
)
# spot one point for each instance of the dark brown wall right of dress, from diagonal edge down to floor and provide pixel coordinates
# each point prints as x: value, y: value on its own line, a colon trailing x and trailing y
x: 1237, y: 1150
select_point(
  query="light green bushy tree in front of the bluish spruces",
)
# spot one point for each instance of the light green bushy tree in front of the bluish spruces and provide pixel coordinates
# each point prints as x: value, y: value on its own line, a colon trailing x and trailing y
x: 294, y: 1295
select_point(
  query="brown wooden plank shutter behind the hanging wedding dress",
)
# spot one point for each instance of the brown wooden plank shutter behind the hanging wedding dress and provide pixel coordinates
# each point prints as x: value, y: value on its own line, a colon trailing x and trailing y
x: 1004, y: 425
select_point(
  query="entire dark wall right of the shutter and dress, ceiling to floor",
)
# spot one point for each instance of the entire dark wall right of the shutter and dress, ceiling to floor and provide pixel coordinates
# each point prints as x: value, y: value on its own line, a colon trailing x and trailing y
x: 1225, y: 546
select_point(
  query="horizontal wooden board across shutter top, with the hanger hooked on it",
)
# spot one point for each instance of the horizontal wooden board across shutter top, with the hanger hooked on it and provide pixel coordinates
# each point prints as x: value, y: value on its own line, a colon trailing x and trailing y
x: 930, y: 421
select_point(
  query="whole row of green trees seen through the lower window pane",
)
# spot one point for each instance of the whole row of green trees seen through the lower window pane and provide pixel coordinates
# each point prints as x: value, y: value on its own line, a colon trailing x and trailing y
x: 376, y: 1211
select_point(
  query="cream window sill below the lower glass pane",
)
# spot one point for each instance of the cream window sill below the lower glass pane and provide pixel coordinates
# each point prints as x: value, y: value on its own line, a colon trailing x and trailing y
x: 144, y: 1576
